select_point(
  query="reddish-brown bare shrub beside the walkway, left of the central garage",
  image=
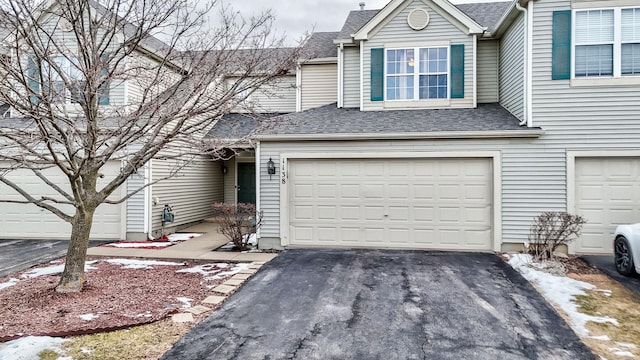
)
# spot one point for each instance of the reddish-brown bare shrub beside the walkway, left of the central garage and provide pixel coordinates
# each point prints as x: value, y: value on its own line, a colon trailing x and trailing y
x: 237, y: 222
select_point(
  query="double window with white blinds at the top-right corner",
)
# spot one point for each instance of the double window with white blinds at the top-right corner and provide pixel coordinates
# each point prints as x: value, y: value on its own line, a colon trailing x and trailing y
x: 607, y: 42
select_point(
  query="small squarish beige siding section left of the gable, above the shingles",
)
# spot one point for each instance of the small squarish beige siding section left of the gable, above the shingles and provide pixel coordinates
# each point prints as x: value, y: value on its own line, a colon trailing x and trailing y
x: 319, y: 85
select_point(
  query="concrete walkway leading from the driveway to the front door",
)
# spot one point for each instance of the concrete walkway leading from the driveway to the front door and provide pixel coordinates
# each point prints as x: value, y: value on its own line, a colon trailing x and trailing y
x: 199, y: 248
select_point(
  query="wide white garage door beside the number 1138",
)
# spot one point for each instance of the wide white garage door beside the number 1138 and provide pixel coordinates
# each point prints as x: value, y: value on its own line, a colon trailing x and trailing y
x: 391, y: 203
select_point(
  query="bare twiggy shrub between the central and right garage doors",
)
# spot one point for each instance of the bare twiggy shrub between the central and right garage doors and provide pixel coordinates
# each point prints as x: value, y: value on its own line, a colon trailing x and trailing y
x: 552, y: 229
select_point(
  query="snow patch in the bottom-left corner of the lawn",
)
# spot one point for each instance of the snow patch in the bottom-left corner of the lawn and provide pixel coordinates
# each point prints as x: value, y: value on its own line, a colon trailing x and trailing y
x: 28, y: 348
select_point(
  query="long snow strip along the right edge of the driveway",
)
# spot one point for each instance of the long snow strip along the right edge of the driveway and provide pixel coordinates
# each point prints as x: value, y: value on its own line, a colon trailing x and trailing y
x: 561, y: 291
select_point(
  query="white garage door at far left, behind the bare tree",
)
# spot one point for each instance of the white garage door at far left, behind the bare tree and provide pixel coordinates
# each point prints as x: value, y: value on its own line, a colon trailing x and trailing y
x: 26, y: 221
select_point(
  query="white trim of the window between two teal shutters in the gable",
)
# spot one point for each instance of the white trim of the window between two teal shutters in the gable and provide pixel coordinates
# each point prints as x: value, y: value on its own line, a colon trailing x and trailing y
x: 416, y: 75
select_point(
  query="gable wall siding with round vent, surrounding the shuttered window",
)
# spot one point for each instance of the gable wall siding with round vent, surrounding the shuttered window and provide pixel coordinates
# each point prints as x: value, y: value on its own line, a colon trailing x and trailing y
x: 397, y: 31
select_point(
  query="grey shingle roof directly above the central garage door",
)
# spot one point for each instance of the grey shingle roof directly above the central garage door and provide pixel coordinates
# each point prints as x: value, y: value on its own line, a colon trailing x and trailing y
x: 332, y: 120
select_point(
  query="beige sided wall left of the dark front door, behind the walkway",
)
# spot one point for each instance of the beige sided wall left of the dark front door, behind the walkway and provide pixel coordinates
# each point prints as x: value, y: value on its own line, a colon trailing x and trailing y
x: 190, y: 193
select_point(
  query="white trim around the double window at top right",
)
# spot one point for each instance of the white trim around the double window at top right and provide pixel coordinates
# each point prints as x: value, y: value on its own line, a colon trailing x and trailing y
x: 617, y: 44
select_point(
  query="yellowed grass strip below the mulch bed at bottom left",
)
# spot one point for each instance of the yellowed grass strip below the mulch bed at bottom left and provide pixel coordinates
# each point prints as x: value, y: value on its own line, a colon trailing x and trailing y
x: 141, y: 342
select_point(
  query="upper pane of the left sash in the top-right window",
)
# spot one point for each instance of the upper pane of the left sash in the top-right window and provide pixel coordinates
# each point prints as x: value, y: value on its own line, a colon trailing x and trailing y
x: 594, y: 26
